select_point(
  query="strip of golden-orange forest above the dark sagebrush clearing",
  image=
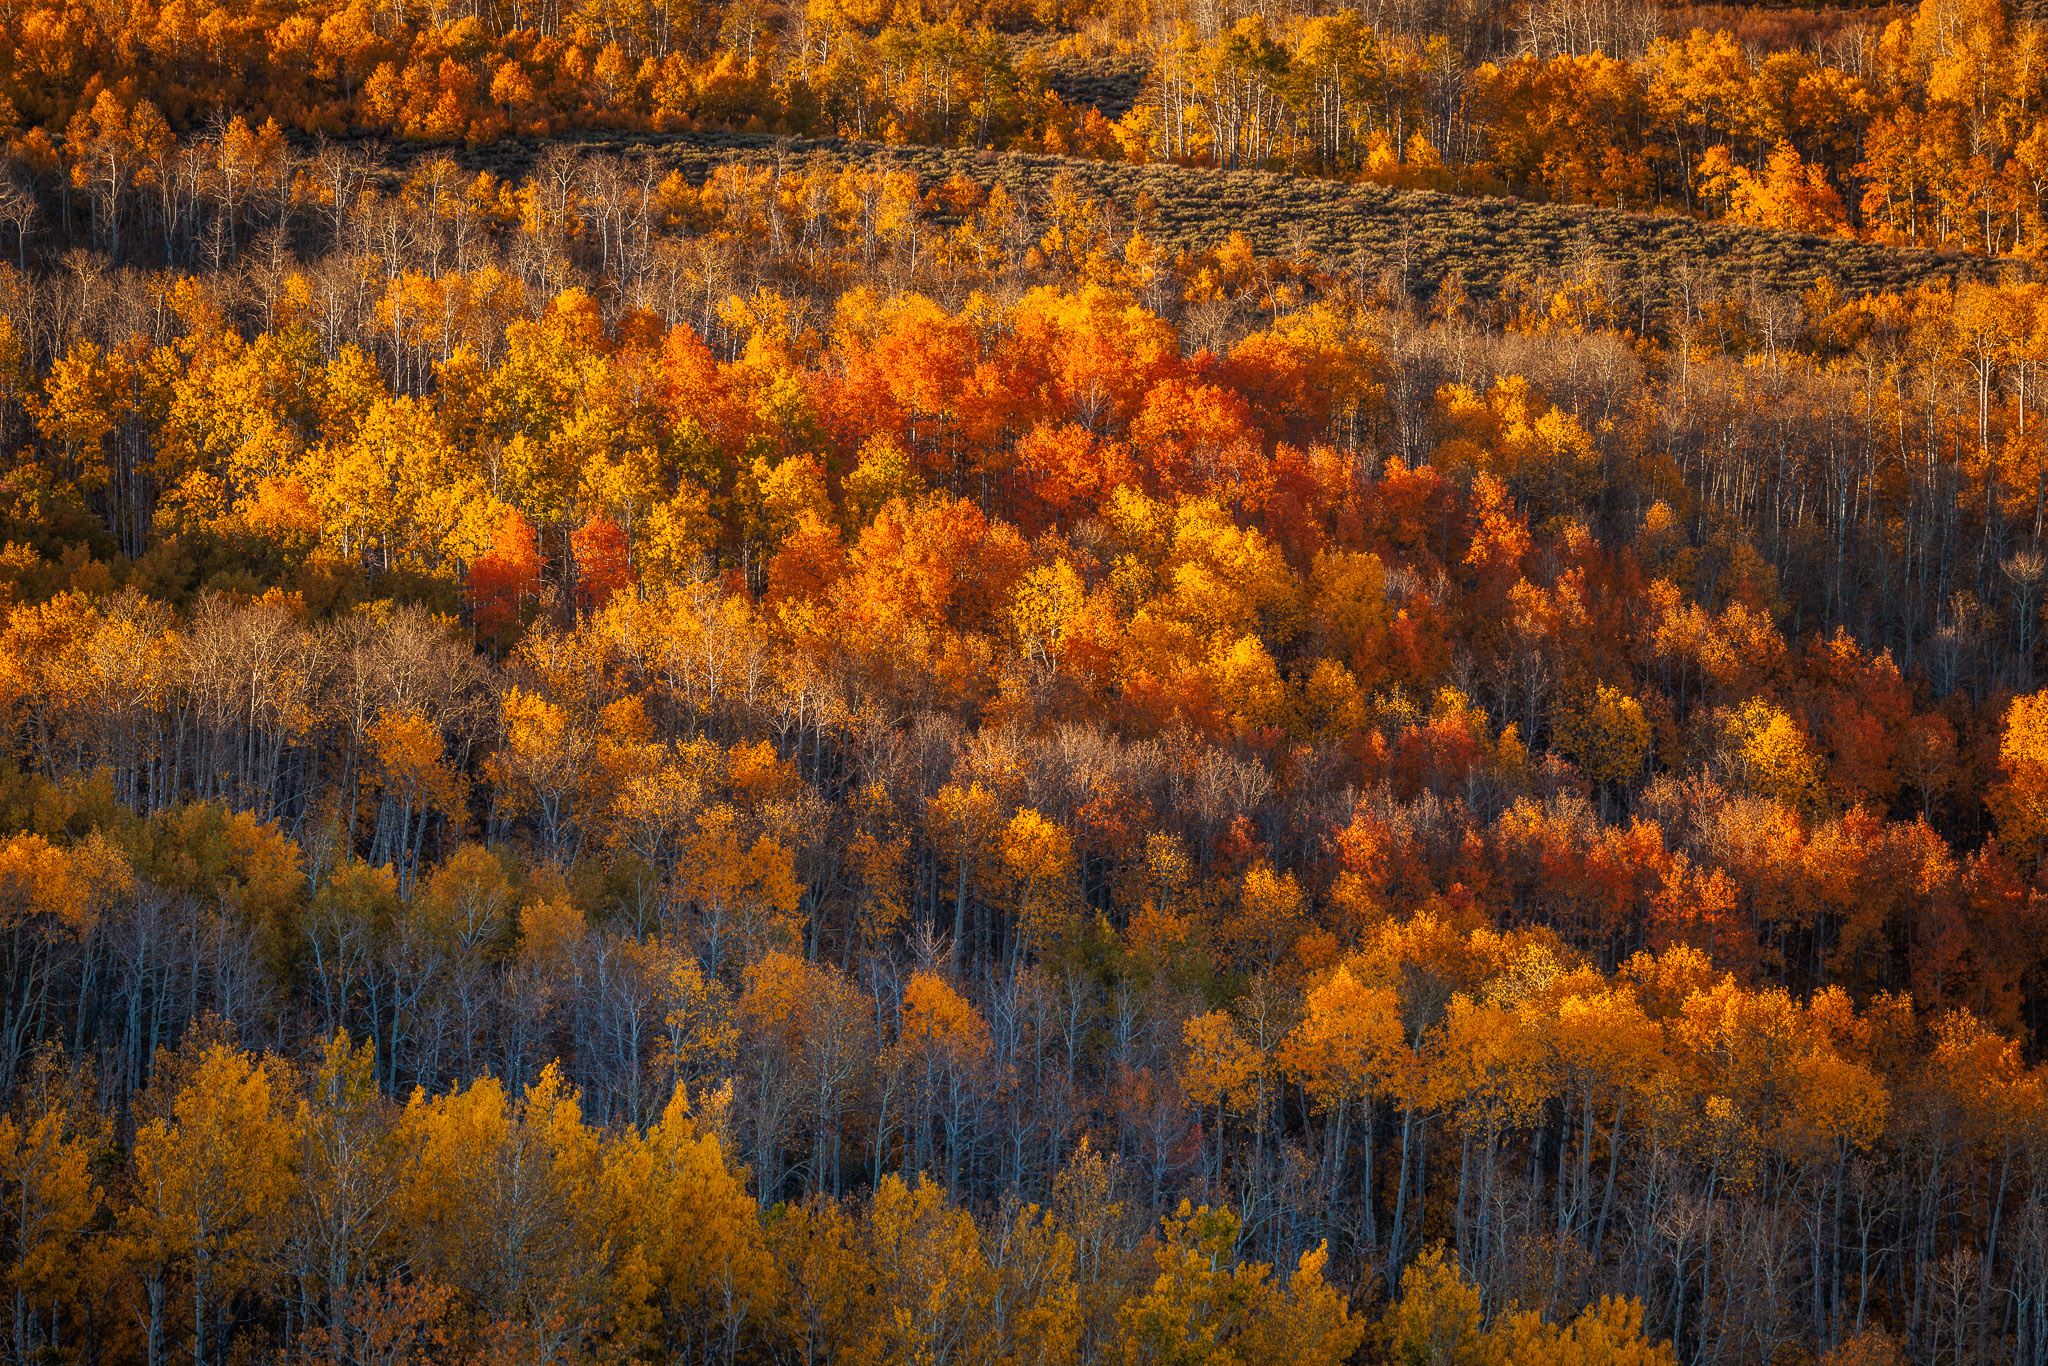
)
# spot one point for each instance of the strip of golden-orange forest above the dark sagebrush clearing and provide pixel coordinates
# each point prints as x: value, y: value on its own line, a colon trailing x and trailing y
x: 1912, y: 126
